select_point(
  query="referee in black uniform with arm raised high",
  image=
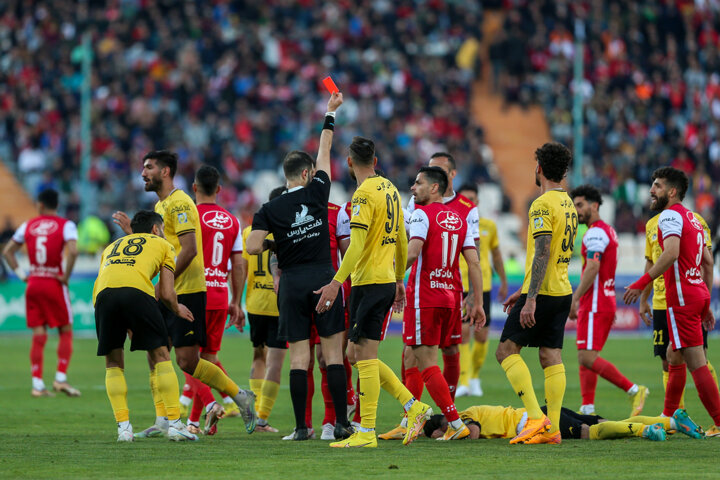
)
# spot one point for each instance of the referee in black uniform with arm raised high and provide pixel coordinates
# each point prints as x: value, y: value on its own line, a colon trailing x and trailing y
x: 298, y: 220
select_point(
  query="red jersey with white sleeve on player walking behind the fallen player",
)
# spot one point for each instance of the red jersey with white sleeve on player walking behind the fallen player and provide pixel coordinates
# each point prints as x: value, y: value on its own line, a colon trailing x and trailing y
x: 600, y: 241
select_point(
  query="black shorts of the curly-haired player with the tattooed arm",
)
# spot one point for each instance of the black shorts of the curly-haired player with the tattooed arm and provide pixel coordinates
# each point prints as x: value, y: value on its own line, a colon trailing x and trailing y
x: 550, y: 317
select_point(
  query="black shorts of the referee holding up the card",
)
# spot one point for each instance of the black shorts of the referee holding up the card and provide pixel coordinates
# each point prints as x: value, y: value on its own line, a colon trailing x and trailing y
x: 297, y: 302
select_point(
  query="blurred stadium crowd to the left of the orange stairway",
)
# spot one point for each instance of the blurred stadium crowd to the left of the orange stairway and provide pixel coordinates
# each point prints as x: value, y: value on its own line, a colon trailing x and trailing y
x: 229, y: 83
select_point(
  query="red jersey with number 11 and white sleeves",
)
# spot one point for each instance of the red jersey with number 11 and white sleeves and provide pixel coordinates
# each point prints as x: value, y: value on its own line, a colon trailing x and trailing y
x: 432, y: 277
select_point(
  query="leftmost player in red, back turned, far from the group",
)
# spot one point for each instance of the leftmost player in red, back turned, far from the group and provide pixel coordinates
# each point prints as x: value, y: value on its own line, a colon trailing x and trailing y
x: 47, y: 301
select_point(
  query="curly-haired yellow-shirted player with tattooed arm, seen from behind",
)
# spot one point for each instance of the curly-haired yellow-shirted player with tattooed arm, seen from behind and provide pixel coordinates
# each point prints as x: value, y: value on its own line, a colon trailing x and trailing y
x: 539, y: 310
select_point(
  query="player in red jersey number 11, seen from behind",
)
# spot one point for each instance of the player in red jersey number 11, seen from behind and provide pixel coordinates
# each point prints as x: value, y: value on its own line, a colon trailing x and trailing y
x: 437, y: 236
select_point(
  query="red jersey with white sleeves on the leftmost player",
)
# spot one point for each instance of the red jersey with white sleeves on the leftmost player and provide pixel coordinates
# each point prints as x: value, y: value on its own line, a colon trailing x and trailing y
x: 45, y: 237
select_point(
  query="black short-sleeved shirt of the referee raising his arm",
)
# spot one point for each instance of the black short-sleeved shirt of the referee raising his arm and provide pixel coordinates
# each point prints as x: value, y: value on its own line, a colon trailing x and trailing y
x: 298, y: 221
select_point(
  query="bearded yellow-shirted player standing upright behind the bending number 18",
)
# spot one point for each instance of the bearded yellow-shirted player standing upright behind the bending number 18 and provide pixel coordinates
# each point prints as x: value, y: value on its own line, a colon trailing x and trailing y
x: 182, y: 229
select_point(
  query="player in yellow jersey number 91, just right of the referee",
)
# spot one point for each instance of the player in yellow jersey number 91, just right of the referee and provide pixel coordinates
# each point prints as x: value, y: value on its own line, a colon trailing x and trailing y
x: 376, y: 258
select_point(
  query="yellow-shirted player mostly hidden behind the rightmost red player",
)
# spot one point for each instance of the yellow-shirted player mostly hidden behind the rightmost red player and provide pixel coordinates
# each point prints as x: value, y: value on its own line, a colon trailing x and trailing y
x: 657, y: 317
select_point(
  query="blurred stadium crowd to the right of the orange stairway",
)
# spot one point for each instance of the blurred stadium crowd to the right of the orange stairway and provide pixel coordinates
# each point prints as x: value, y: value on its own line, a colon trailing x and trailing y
x: 651, y: 90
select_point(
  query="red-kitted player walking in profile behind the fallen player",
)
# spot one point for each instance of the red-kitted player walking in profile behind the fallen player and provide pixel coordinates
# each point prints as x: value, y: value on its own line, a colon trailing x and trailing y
x: 593, y: 303
